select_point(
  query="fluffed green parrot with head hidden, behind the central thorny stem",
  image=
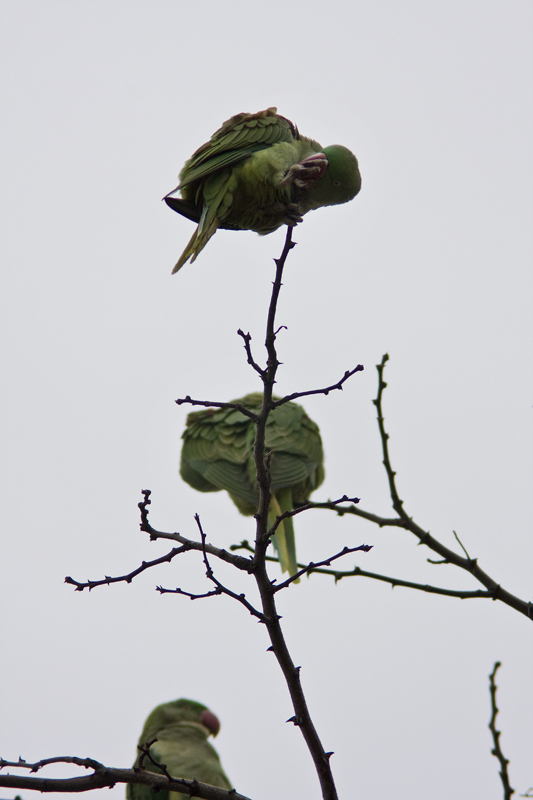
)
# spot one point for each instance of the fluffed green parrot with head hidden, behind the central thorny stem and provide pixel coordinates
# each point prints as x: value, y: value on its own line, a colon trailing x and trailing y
x: 217, y: 454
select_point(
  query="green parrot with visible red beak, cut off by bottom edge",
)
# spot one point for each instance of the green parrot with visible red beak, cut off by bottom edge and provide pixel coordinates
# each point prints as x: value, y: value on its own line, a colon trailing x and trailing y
x: 182, y: 728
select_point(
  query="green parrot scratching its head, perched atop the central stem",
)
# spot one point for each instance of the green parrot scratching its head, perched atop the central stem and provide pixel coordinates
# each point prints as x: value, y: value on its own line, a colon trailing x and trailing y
x: 257, y: 173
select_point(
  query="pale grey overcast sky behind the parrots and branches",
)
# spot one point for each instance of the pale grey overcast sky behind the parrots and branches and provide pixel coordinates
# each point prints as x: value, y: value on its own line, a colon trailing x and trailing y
x: 103, y: 102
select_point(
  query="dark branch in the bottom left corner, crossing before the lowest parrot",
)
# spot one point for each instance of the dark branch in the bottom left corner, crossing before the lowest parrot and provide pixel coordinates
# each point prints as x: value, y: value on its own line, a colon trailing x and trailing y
x: 103, y: 776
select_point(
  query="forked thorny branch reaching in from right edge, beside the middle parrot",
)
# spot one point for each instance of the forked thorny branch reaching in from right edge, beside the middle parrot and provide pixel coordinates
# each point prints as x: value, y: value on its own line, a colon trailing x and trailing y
x: 403, y: 520
